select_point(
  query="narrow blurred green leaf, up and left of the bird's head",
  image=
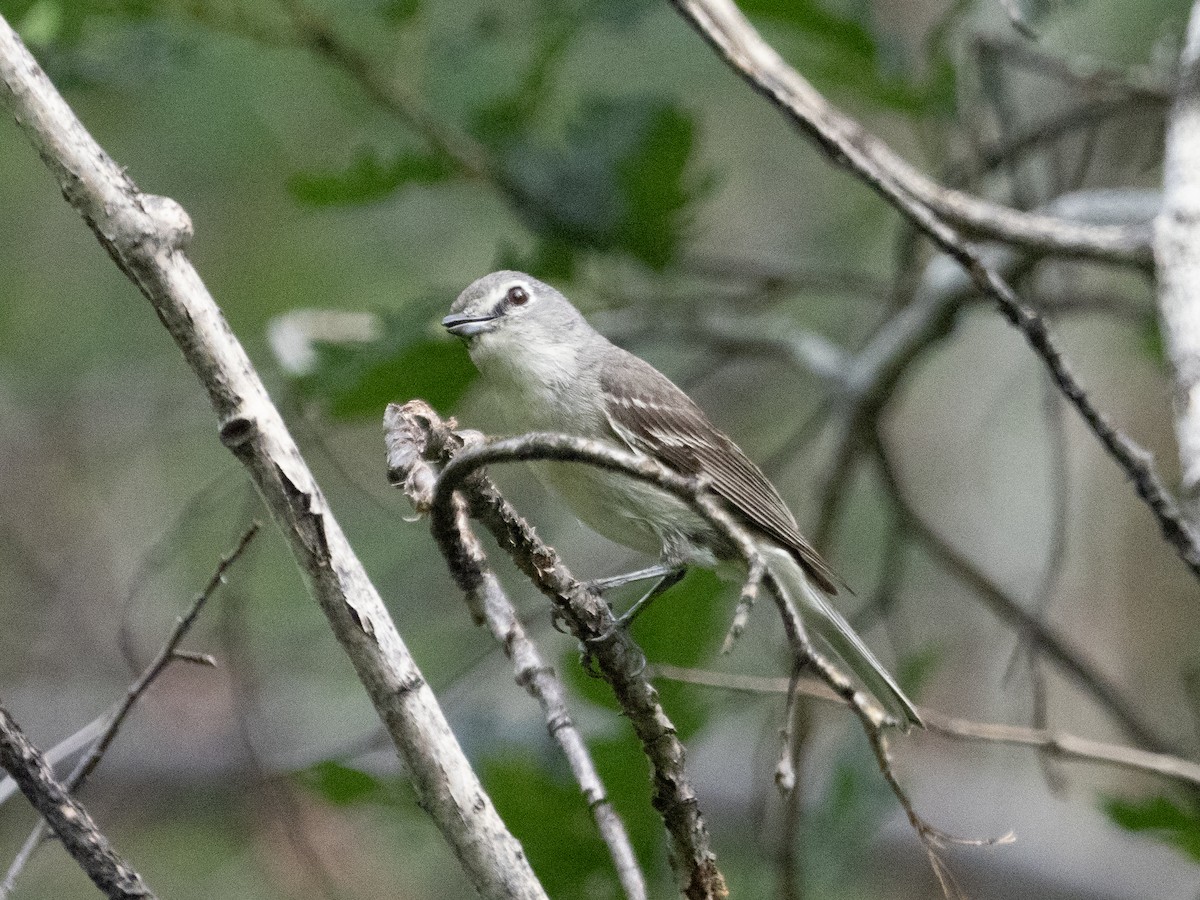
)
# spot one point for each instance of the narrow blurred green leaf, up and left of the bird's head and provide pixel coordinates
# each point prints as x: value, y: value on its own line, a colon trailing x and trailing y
x: 369, y: 179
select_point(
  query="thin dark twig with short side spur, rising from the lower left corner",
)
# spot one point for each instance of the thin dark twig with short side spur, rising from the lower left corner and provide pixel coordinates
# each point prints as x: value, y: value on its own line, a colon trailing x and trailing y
x: 170, y: 652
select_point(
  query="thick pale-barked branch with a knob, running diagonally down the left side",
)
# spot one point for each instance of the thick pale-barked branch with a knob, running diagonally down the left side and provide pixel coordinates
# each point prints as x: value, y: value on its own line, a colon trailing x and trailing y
x: 147, y: 237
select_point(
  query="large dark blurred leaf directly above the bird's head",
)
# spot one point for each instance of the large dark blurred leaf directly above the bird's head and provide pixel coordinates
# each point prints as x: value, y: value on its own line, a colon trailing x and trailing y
x: 619, y: 183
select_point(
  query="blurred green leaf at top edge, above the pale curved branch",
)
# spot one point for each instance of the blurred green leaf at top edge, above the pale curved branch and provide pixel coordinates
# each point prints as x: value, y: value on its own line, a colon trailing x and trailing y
x: 838, y: 51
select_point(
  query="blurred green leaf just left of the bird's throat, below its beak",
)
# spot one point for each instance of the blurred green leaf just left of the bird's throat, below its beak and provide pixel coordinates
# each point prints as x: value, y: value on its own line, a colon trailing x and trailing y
x: 406, y: 362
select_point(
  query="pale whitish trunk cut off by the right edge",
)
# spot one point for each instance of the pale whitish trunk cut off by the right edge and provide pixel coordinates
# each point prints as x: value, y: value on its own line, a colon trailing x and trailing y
x: 1178, y: 255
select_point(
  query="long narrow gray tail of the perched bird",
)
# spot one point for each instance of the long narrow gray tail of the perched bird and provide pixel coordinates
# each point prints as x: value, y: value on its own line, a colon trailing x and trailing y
x: 827, y: 623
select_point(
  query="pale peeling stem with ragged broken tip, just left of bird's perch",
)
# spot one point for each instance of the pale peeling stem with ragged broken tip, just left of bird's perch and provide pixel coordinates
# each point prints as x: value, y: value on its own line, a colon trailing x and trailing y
x: 487, y: 598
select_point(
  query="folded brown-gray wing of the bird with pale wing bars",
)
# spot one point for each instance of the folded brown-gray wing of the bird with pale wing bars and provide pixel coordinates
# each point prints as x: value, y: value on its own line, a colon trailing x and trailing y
x: 651, y: 415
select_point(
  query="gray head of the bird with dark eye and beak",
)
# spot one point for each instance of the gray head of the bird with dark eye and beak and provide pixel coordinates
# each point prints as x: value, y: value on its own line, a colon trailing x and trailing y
x: 511, y: 315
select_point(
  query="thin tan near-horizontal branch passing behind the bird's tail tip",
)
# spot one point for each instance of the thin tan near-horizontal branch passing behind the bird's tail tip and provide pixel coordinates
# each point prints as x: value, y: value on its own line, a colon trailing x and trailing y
x: 1054, y: 743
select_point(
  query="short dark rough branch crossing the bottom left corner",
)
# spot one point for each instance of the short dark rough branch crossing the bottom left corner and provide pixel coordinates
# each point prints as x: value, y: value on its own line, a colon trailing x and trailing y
x: 67, y: 817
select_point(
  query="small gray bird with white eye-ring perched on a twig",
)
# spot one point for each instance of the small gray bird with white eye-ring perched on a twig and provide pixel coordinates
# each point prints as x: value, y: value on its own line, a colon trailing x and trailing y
x: 551, y: 371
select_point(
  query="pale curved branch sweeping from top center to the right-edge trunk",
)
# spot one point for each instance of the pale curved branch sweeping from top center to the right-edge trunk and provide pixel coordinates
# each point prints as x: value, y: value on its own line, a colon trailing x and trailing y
x: 849, y: 145
